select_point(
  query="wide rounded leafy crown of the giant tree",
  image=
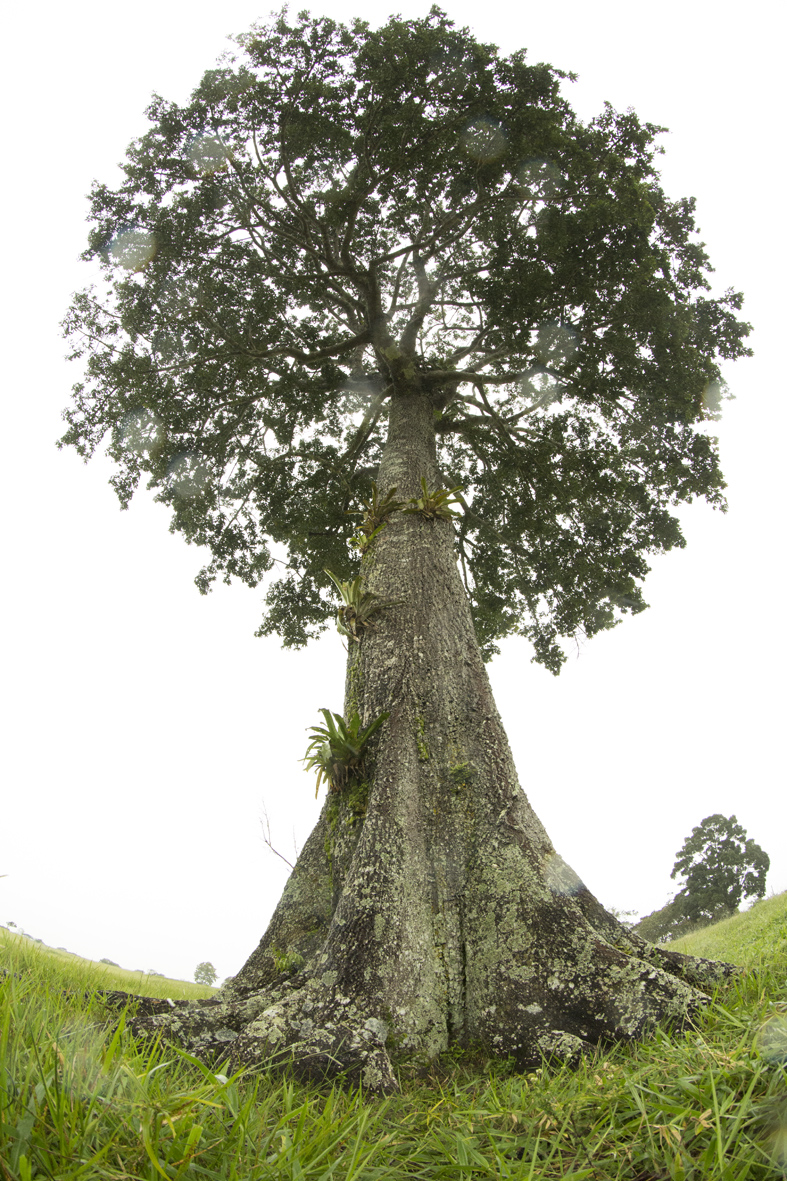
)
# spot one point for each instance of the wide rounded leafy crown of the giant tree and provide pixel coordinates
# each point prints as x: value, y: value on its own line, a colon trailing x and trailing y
x: 342, y: 214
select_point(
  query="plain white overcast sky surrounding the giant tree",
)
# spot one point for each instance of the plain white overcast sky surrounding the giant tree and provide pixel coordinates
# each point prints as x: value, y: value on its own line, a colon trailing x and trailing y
x: 147, y: 729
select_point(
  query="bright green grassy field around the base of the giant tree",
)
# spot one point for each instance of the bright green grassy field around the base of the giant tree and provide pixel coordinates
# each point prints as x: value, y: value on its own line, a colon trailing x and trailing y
x: 80, y: 1100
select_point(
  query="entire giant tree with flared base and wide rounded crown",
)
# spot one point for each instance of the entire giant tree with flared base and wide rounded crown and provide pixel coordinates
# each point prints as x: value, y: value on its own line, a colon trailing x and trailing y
x: 389, y: 273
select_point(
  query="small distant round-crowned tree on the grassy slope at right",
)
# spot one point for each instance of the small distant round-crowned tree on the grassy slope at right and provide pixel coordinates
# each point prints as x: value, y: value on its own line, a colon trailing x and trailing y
x: 720, y: 866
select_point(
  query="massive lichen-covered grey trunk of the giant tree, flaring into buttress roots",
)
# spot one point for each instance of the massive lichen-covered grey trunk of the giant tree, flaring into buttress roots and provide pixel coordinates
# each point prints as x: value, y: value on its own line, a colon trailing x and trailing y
x: 428, y: 906
